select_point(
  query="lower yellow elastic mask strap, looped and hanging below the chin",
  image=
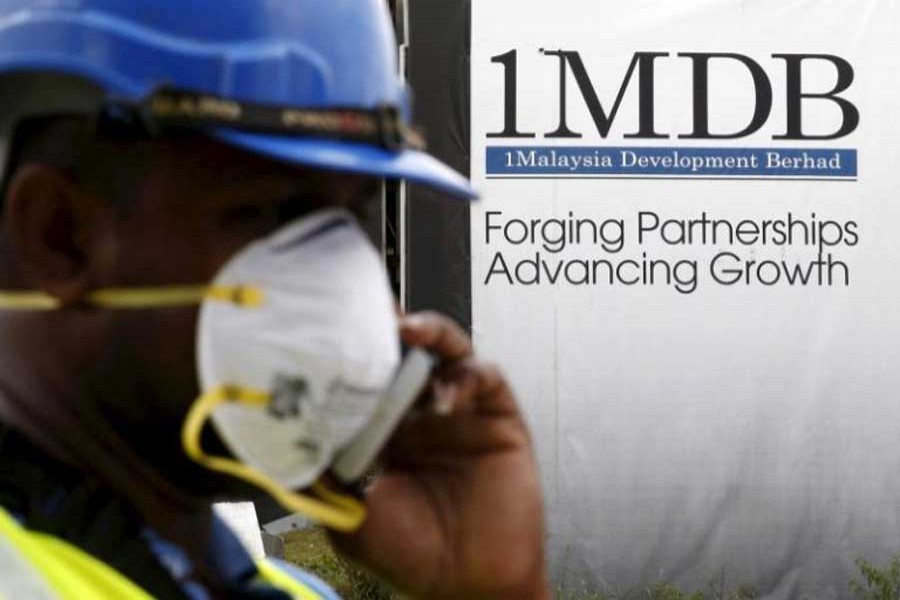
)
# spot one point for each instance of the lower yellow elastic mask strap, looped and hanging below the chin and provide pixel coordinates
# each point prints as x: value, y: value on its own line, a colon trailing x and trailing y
x: 334, y: 510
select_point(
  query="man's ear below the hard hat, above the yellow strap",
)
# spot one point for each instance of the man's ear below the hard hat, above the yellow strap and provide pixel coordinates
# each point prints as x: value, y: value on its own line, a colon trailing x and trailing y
x: 47, y: 222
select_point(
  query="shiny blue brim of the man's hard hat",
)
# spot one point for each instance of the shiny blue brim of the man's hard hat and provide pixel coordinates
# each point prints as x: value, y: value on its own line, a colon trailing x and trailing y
x: 411, y: 165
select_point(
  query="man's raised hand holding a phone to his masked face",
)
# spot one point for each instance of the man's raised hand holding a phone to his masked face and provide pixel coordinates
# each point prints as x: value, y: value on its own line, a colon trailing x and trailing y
x: 457, y: 512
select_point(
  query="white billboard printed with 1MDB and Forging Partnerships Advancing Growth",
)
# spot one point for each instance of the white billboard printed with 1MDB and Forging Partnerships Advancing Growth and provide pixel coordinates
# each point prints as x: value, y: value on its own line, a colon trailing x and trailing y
x: 688, y: 261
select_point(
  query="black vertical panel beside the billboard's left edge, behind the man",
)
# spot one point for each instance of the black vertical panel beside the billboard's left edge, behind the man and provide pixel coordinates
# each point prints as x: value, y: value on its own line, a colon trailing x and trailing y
x: 438, y: 248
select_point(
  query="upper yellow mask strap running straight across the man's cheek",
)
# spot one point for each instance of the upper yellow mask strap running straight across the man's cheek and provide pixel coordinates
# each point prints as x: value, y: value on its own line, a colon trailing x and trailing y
x: 138, y: 298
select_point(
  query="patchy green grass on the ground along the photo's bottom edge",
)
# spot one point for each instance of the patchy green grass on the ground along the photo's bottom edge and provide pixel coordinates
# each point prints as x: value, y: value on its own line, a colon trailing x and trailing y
x: 311, y: 550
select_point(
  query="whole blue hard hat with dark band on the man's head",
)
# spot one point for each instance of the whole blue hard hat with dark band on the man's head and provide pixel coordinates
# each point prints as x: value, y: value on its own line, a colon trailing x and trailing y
x: 334, y: 61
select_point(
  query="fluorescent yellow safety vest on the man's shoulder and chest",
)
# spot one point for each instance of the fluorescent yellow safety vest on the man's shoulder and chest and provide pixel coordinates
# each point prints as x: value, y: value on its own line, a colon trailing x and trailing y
x: 36, y: 566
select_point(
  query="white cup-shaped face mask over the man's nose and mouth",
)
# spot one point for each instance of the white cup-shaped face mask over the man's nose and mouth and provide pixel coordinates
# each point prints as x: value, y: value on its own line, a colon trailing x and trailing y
x: 291, y: 379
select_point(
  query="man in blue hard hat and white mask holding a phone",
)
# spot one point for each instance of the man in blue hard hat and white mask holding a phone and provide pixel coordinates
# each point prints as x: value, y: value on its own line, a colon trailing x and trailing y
x: 190, y: 312
